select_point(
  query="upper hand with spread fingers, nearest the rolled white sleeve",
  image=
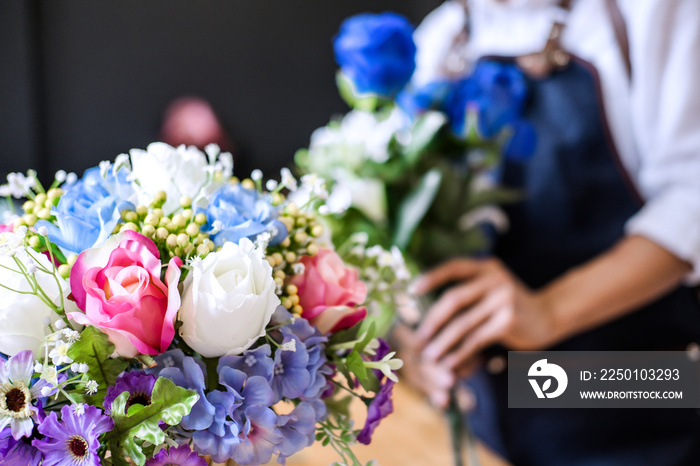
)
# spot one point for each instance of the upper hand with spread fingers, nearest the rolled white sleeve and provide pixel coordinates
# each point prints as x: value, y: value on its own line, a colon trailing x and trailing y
x: 487, y: 305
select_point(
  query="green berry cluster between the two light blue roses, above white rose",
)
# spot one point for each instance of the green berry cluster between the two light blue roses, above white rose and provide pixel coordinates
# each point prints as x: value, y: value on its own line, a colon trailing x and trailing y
x: 175, y: 235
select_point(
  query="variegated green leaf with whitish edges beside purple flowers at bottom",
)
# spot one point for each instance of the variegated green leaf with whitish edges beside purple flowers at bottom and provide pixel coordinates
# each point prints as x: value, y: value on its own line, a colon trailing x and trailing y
x: 169, y: 403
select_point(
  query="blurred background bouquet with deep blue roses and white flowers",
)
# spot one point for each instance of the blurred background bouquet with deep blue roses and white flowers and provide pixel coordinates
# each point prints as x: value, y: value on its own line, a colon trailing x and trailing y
x: 416, y: 164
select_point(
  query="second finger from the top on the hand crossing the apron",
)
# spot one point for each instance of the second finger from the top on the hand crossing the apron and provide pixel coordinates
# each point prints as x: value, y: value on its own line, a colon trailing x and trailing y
x: 452, y: 302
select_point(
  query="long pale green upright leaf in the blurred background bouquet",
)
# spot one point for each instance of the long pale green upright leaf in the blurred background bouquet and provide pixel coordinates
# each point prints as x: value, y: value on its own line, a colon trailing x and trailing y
x: 415, y: 206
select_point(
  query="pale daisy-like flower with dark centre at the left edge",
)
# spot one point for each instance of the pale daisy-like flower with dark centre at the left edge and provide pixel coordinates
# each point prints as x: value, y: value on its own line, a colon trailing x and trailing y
x: 17, y: 394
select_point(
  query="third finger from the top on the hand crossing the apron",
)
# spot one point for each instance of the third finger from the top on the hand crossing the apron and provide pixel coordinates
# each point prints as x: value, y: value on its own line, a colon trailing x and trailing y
x: 459, y: 329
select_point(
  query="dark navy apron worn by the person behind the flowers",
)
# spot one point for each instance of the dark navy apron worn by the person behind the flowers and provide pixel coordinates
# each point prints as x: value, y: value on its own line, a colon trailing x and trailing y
x: 578, y: 199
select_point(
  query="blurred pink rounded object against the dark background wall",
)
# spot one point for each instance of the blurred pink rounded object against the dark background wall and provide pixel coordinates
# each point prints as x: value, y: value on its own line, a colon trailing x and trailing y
x: 193, y: 122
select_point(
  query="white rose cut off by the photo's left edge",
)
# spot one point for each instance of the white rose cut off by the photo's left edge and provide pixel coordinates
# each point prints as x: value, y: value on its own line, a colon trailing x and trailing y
x: 22, y: 316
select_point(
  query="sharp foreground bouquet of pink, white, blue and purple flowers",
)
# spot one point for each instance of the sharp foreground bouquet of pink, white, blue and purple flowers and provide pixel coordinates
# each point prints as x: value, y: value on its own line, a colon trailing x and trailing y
x: 159, y: 311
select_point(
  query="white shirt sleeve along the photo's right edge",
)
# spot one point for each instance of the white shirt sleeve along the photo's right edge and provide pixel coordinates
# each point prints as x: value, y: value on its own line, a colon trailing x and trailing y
x: 664, y: 40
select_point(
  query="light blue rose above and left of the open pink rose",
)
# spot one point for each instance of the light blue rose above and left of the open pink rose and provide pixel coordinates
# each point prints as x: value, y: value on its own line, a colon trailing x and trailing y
x: 88, y: 212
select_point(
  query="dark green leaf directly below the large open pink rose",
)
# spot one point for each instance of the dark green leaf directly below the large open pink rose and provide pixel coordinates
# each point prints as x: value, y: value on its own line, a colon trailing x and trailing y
x: 95, y: 349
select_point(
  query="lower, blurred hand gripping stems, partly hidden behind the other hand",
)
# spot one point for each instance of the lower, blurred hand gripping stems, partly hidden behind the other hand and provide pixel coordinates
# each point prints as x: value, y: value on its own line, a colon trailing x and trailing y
x: 433, y: 380
